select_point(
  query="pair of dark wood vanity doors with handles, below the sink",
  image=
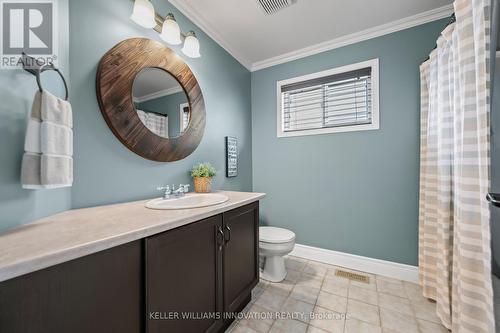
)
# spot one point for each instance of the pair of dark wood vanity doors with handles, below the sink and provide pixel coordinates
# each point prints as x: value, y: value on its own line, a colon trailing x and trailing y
x: 205, y: 271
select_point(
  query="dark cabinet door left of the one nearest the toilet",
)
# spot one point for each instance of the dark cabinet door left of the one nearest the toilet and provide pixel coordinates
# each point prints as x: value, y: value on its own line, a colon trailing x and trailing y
x: 183, y: 278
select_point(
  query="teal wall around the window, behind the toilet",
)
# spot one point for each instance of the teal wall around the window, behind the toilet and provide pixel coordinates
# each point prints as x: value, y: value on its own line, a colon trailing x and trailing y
x: 353, y: 192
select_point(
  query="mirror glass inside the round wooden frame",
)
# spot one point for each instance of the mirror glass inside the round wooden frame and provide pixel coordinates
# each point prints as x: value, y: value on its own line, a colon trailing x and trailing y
x: 160, y: 102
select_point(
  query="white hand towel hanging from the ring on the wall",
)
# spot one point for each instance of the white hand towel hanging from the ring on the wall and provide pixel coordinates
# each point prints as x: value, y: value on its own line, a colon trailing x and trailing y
x: 47, y: 161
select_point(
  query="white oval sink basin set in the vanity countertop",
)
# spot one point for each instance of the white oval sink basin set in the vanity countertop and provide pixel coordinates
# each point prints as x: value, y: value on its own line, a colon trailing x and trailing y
x: 190, y: 200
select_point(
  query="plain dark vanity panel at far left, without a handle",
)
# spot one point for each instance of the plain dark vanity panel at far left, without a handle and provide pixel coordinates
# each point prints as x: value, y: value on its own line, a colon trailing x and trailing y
x: 101, y: 292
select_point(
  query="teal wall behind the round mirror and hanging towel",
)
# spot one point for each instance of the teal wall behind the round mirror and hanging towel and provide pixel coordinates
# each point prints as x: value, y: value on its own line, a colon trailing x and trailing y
x: 104, y: 170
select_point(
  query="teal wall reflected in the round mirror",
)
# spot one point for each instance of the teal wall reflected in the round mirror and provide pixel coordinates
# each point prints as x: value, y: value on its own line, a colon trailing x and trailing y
x: 168, y: 105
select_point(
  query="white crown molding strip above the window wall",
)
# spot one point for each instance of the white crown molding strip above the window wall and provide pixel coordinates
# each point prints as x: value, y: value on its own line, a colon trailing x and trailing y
x: 384, y: 29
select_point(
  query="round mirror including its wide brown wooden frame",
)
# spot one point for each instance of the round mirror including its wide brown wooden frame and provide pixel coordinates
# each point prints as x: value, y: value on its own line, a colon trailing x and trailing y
x: 138, y: 87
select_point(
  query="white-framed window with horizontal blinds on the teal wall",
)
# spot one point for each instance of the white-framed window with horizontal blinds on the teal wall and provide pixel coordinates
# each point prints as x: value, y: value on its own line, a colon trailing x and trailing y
x: 338, y: 100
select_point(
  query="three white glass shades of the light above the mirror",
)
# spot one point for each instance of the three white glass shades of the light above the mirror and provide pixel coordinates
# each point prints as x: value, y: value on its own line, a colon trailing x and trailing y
x: 144, y: 14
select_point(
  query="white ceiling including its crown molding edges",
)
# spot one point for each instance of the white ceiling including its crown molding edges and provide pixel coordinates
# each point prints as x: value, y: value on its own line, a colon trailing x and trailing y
x: 258, y: 40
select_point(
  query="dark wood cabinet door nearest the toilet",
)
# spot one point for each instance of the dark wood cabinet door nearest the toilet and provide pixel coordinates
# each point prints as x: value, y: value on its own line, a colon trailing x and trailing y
x: 241, y: 255
